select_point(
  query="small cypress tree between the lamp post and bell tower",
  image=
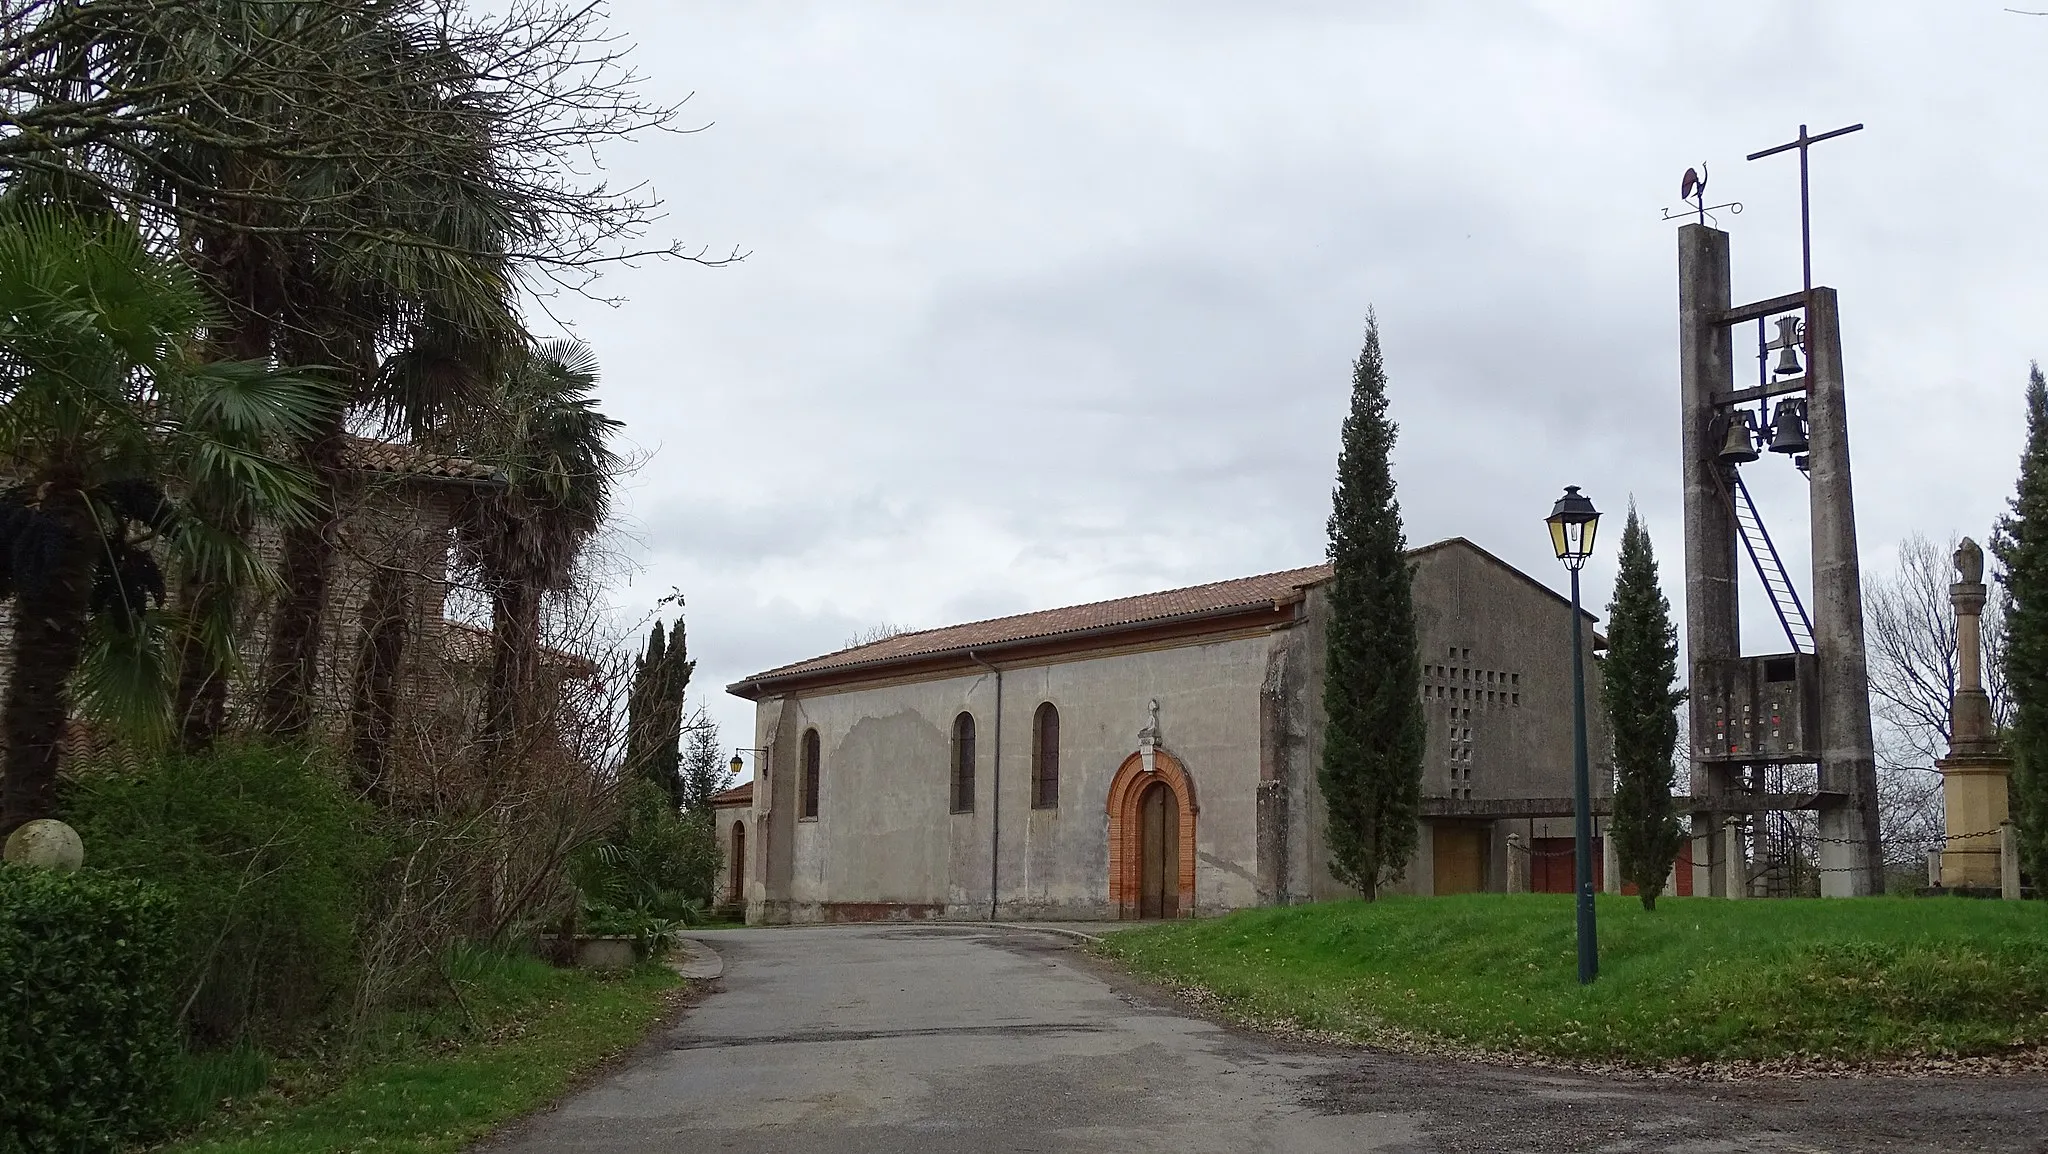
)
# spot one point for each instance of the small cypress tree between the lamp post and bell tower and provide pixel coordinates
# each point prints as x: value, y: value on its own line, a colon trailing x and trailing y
x: 1639, y: 688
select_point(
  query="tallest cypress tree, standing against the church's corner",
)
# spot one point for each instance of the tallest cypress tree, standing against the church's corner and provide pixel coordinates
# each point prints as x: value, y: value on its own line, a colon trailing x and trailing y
x: 1373, y: 743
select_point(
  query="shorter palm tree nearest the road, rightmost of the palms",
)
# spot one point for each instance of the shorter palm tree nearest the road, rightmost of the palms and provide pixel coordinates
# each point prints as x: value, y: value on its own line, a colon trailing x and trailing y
x: 523, y: 540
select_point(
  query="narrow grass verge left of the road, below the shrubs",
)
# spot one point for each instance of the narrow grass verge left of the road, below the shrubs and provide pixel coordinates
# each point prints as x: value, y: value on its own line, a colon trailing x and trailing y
x: 433, y: 1081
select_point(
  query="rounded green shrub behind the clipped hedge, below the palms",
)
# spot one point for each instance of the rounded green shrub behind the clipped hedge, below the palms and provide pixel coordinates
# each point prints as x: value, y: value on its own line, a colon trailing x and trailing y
x: 269, y: 860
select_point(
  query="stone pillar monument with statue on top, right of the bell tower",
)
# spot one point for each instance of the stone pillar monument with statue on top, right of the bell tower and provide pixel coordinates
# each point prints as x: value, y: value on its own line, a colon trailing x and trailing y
x: 1975, y: 770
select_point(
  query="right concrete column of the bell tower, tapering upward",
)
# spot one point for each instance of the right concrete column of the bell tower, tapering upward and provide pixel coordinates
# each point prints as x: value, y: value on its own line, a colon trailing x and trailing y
x: 1850, y: 860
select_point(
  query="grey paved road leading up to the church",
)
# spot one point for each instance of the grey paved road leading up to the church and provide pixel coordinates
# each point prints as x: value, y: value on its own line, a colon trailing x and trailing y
x: 943, y: 1040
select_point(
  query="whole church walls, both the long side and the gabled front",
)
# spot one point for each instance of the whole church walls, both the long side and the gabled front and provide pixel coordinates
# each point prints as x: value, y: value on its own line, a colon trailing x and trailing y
x: 1244, y: 712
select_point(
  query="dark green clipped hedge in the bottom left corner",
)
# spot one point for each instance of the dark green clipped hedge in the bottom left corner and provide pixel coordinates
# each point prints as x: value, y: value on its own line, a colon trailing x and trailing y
x: 87, y: 1036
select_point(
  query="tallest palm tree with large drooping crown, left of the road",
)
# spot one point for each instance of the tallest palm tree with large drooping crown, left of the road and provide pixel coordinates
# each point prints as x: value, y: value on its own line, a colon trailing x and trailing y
x: 411, y: 319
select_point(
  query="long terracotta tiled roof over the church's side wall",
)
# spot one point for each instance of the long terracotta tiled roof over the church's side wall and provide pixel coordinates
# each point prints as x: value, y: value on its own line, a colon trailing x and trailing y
x: 1201, y: 600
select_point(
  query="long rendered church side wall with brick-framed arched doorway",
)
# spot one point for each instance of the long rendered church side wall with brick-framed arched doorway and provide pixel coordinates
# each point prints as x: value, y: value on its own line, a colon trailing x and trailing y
x: 886, y: 841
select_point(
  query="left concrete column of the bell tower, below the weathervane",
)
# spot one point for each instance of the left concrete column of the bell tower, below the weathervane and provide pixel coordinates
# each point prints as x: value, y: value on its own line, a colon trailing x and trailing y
x: 1713, y: 622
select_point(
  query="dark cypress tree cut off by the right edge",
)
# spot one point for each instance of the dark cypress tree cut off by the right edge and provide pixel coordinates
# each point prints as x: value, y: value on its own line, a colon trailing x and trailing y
x: 2022, y: 548
